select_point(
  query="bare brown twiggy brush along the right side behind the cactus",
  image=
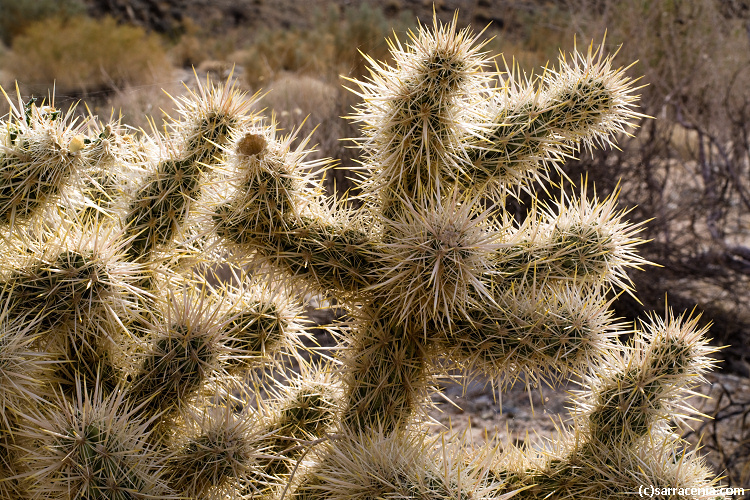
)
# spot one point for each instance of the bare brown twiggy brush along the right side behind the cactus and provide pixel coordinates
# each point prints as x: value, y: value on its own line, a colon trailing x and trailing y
x: 689, y: 168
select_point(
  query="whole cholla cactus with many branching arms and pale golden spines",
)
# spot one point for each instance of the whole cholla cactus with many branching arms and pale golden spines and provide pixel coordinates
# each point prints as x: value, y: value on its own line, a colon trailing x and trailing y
x: 128, y: 370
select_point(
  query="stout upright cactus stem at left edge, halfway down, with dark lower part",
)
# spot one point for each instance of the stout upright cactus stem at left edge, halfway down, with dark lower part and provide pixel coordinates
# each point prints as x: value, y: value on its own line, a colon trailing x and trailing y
x: 70, y: 291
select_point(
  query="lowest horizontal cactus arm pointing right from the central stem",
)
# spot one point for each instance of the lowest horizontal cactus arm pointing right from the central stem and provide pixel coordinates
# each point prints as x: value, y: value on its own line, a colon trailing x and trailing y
x: 550, y: 333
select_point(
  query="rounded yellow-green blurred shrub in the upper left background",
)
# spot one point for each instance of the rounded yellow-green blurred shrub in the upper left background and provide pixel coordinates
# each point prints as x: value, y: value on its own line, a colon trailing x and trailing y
x: 84, y: 55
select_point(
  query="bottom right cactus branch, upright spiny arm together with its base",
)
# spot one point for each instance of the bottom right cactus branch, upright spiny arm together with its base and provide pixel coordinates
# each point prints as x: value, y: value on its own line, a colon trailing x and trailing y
x: 622, y: 436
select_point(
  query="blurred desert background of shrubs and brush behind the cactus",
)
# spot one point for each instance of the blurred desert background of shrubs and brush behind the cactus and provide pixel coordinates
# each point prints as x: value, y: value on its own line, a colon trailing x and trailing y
x: 688, y: 170
